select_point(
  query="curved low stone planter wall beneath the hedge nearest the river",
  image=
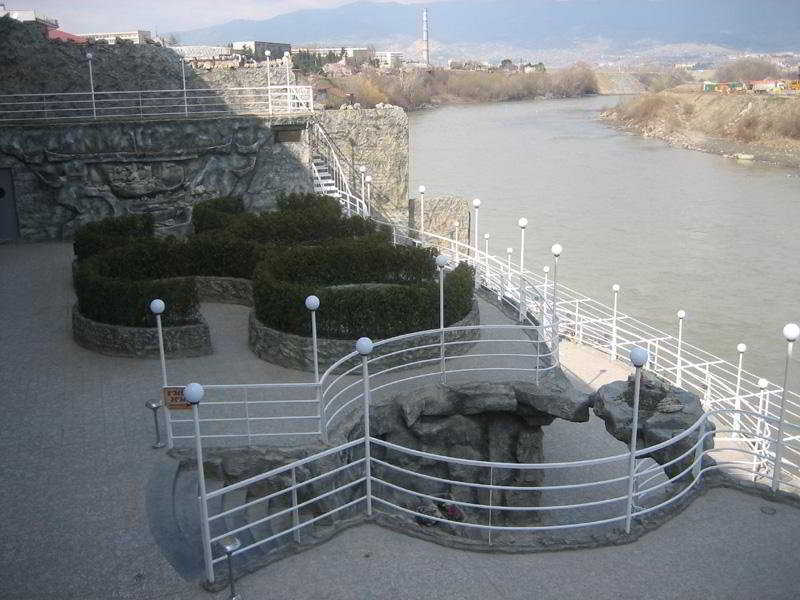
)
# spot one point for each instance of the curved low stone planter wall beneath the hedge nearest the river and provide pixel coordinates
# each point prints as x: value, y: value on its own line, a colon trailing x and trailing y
x: 297, y: 352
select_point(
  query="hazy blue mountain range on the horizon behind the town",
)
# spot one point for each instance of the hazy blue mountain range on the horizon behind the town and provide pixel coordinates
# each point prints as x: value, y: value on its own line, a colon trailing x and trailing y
x: 621, y: 25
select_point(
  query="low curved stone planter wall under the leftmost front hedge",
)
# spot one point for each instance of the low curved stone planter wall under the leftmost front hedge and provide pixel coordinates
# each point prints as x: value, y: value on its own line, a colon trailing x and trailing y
x: 140, y: 342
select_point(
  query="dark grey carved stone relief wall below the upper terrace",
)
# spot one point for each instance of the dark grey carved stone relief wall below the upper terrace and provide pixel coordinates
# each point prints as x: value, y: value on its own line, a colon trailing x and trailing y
x: 66, y: 175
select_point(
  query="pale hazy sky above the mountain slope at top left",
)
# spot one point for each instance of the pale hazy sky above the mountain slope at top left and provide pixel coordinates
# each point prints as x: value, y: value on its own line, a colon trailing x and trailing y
x: 84, y: 16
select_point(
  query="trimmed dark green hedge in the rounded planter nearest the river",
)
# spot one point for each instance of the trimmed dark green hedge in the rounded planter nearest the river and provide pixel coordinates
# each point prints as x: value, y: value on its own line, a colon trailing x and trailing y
x: 383, y: 291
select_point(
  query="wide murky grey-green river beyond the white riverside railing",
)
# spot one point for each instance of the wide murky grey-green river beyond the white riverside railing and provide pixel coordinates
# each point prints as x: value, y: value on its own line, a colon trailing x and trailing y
x: 677, y: 229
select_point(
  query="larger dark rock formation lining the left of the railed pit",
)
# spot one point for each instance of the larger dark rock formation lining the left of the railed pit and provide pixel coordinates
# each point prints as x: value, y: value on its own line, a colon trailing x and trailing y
x: 497, y: 422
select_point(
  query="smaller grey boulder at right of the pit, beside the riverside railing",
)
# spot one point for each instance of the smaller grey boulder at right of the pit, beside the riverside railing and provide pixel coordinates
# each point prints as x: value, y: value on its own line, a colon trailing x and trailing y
x: 664, y: 412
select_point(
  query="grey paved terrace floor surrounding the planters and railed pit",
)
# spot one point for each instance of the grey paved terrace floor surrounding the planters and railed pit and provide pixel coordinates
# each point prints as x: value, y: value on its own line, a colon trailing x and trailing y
x: 76, y: 462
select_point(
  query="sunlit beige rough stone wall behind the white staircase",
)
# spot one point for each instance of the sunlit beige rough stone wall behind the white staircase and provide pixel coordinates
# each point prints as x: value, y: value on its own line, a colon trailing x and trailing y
x: 378, y: 139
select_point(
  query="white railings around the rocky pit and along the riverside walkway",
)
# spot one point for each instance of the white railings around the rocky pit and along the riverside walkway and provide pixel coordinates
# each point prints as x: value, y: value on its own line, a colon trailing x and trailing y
x: 754, y: 421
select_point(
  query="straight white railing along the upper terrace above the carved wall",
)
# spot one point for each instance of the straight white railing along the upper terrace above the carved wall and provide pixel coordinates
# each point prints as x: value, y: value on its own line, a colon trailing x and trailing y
x: 146, y: 104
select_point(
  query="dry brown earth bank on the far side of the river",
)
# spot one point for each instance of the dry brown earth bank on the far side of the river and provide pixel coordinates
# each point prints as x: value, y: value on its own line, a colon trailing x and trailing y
x: 764, y: 127
